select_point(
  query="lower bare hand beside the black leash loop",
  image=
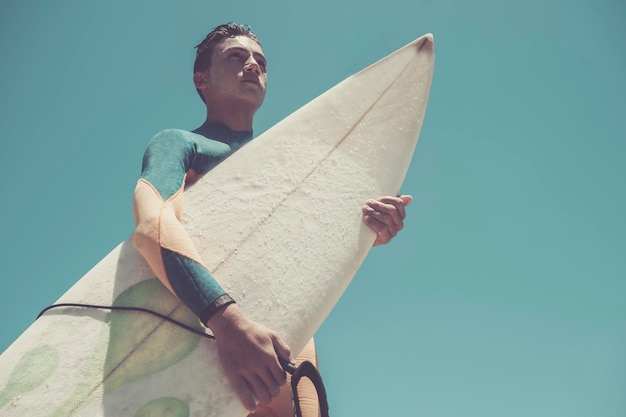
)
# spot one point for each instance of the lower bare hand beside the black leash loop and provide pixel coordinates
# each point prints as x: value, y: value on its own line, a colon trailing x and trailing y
x: 249, y: 354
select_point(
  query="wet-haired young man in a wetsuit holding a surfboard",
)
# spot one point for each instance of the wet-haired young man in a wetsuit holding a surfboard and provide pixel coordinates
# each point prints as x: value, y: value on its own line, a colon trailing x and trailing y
x: 230, y: 74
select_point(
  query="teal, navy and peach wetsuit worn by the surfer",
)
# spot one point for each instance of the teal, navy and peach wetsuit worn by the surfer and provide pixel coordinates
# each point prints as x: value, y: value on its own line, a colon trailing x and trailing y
x: 173, y: 159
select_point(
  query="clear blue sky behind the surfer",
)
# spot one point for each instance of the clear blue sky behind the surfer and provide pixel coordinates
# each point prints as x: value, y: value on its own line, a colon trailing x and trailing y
x: 503, y: 296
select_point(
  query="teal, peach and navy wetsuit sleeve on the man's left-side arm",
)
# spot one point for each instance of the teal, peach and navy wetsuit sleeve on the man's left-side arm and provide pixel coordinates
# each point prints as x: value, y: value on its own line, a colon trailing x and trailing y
x: 159, y: 235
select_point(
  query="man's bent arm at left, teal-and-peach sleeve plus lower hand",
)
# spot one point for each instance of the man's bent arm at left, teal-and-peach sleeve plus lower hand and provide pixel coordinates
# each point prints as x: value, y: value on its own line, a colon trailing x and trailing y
x: 248, y: 351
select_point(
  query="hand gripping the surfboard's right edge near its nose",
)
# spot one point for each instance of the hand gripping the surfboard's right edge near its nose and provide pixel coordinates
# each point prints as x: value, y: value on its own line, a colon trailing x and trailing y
x: 385, y: 216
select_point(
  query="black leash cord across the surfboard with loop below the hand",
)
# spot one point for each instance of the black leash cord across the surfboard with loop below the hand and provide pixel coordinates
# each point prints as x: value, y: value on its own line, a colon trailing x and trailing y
x: 306, y: 368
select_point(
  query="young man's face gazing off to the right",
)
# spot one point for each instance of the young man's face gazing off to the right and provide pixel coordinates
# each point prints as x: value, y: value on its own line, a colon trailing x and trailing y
x: 237, y: 74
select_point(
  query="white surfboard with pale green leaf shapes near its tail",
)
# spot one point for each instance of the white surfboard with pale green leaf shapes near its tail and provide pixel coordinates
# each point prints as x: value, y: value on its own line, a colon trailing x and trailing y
x: 279, y: 225
